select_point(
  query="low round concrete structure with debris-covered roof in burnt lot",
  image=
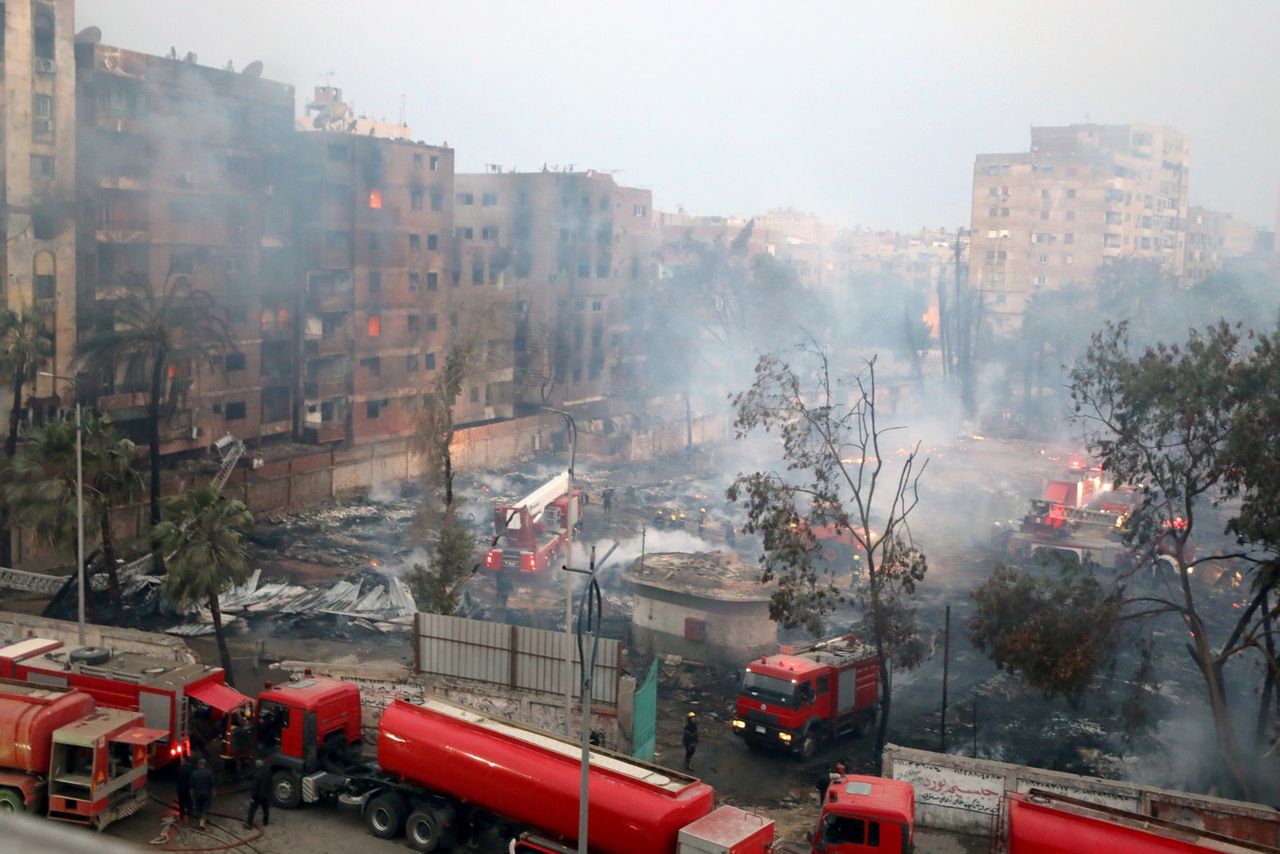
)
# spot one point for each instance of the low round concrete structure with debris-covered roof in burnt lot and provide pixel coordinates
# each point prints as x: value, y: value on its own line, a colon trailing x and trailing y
x: 708, y: 608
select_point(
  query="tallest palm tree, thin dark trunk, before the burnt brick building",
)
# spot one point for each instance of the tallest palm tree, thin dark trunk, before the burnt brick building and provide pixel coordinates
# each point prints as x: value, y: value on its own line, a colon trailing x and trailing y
x: 149, y: 331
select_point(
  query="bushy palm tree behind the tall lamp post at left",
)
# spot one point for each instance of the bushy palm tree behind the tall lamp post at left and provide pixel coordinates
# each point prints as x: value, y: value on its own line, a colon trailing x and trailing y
x: 42, y: 487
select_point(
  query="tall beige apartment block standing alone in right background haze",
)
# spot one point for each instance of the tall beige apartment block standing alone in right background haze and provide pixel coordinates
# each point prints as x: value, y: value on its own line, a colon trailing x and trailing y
x: 1084, y: 195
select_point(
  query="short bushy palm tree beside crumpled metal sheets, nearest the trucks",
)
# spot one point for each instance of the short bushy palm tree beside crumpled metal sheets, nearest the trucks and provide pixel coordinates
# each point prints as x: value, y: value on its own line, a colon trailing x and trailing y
x: 205, y: 552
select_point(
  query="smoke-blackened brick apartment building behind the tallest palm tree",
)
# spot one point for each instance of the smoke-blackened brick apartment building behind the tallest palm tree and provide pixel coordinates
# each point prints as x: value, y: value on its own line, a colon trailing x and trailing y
x: 182, y: 180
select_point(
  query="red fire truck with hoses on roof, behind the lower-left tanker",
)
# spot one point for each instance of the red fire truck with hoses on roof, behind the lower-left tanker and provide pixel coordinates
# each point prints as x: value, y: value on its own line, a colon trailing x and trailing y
x: 170, y: 695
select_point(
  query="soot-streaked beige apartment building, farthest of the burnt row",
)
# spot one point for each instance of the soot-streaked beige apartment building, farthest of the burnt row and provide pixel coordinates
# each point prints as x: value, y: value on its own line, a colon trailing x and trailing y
x: 575, y: 253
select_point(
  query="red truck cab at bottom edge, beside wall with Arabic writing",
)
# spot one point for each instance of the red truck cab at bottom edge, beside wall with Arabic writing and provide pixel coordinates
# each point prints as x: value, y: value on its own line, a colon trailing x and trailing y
x: 862, y: 814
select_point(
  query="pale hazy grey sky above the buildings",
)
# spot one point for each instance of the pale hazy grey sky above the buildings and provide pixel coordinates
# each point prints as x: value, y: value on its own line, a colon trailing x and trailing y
x: 862, y: 112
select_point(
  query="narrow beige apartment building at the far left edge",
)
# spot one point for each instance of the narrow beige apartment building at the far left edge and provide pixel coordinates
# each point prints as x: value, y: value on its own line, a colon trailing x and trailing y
x: 38, y: 234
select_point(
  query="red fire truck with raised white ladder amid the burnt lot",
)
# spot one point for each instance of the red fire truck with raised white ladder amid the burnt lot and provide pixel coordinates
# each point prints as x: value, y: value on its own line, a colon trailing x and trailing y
x: 531, y: 535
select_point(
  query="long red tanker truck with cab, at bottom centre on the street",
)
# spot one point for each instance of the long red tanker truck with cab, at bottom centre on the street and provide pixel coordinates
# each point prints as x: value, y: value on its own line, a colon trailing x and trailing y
x: 445, y: 773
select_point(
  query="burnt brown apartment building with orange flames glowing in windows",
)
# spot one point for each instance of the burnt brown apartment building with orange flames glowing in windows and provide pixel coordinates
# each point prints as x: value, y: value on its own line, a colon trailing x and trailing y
x: 374, y: 229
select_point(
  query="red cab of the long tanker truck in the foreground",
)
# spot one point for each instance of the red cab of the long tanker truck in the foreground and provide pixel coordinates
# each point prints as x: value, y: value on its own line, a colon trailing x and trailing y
x: 301, y: 725
